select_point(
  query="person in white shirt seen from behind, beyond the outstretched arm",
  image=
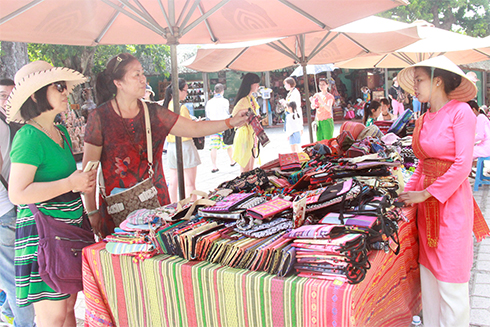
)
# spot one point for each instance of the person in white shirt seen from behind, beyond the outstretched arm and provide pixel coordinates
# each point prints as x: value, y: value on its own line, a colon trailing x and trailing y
x: 218, y: 108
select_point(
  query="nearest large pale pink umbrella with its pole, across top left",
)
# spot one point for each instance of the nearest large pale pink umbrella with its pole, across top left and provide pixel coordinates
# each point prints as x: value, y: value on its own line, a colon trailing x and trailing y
x: 93, y: 22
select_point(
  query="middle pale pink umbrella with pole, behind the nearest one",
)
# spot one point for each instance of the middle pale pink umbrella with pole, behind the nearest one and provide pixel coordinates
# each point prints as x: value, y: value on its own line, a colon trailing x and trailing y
x: 368, y: 35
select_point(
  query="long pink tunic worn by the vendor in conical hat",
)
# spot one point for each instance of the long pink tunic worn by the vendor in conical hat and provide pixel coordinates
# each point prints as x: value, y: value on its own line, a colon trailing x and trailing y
x: 447, y: 135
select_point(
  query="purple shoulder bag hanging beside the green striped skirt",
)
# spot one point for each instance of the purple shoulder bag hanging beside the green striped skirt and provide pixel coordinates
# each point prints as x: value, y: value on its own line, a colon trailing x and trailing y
x: 60, y: 251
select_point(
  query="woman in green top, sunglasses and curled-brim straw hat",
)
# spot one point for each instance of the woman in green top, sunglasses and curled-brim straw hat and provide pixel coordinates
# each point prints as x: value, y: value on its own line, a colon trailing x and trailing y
x: 43, y: 172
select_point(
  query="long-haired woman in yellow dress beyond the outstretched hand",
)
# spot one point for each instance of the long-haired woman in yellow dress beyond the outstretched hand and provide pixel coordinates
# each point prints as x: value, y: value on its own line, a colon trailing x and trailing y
x: 245, y: 142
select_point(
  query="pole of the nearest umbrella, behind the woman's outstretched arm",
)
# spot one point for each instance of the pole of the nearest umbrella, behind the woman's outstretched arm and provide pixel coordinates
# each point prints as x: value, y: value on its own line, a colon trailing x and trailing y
x: 176, y: 103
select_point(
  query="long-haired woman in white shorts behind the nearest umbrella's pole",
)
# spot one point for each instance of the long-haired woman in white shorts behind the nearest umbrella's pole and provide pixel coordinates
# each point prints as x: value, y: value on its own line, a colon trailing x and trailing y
x: 190, y: 156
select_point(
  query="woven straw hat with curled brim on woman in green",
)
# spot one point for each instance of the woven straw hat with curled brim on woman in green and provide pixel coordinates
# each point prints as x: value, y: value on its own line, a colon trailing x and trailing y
x: 33, y: 77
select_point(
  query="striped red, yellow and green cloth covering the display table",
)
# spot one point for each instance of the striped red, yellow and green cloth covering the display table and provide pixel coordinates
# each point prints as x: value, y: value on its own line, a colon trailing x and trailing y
x: 170, y: 291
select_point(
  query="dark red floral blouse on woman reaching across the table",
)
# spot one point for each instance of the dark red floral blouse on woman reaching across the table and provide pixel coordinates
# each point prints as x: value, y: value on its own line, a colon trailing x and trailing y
x: 124, y: 157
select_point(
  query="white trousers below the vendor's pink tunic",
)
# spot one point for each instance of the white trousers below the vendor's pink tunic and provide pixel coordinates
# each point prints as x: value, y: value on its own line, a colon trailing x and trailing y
x: 444, y: 304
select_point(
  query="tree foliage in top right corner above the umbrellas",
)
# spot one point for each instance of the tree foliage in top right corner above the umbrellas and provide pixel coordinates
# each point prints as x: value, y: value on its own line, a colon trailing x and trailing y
x: 471, y: 17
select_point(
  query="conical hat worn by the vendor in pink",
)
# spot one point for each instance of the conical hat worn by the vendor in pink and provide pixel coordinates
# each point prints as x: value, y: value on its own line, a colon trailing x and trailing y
x: 464, y: 92
